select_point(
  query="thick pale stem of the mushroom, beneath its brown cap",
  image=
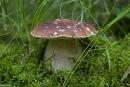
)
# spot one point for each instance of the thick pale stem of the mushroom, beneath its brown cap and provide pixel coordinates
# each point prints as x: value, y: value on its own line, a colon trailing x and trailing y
x: 63, y: 53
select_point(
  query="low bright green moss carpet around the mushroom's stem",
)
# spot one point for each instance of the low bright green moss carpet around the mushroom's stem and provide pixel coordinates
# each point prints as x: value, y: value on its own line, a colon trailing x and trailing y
x: 104, y: 65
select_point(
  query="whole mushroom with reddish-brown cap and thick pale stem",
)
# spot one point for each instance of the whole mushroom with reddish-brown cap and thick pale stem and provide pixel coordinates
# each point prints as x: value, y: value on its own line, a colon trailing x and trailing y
x: 63, y: 47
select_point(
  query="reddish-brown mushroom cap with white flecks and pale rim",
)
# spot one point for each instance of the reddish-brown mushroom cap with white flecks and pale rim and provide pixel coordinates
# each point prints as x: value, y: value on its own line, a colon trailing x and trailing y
x: 64, y: 28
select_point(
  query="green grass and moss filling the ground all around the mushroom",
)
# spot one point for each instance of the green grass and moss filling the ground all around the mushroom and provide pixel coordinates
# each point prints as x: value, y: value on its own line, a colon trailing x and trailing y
x: 105, y: 59
